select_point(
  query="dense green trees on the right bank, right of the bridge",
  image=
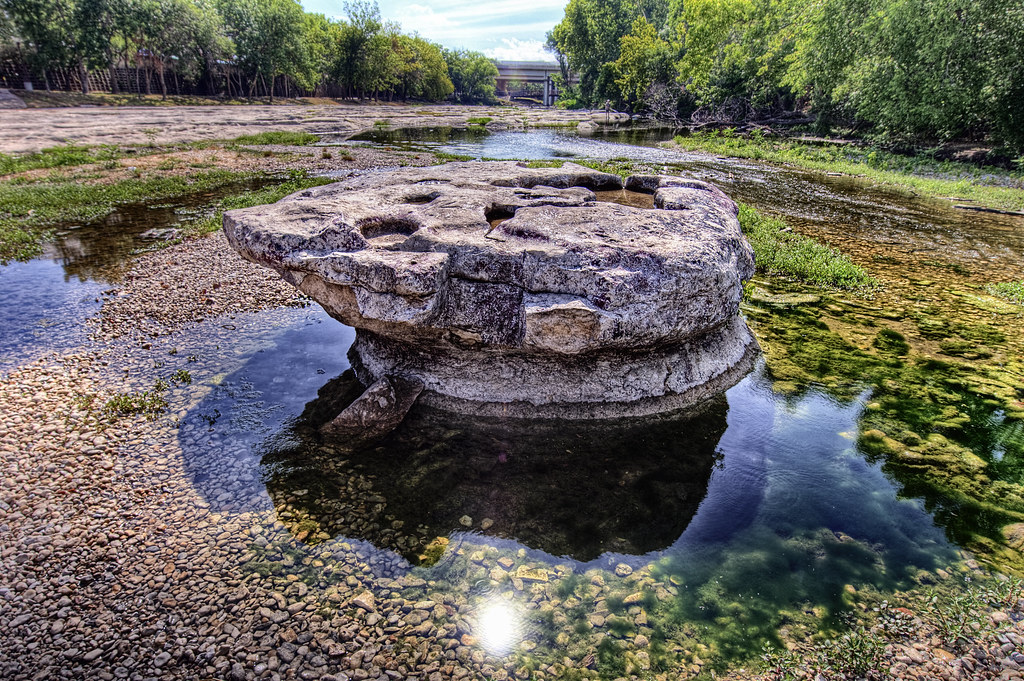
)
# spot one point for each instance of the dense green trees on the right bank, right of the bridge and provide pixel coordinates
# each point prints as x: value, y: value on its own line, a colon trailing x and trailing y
x: 905, y: 71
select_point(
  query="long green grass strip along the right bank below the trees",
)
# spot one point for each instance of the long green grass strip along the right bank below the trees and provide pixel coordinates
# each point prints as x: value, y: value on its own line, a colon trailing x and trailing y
x: 992, y: 188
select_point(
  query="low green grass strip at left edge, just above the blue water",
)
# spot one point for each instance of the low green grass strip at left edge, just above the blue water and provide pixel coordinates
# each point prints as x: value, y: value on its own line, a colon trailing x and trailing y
x: 28, y: 210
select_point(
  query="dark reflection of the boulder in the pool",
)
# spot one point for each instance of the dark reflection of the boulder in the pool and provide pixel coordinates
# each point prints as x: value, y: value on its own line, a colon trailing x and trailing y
x: 575, y: 489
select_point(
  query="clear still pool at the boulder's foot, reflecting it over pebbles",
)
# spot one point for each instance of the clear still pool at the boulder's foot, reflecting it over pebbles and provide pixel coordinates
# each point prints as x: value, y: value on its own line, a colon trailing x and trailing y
x: 758, y: 504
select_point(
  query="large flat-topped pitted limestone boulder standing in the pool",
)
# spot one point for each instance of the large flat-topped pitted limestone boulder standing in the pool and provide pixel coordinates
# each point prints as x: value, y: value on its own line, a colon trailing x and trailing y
x: 516, y: 290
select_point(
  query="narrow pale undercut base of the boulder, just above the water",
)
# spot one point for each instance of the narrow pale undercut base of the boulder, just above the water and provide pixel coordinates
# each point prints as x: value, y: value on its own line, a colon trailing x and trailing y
x: 581, y: 389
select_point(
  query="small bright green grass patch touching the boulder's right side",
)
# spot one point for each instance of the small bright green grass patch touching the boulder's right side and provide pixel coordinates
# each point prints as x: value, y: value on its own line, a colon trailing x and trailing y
x: 780, y: 251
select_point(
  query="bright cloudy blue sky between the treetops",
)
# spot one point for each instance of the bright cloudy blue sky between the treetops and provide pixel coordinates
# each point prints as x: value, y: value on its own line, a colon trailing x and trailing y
x: 501, y: 29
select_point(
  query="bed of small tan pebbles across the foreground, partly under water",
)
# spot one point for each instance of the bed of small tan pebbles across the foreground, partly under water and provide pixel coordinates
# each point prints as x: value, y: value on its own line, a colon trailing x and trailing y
x: 125, y: 557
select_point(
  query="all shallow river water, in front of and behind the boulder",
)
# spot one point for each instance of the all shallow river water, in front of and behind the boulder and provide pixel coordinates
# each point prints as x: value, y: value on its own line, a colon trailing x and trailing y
x: 702, y: 527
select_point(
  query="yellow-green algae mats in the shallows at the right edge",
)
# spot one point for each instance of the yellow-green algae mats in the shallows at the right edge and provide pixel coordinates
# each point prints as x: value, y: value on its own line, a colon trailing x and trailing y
x: 949, y: 432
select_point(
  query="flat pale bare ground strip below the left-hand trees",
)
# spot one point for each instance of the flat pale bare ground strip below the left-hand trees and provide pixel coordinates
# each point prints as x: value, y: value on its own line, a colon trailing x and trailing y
x: 33, y: 130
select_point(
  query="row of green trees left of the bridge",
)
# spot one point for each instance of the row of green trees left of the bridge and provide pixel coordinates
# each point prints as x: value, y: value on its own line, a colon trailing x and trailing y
x: 240, y: 49
